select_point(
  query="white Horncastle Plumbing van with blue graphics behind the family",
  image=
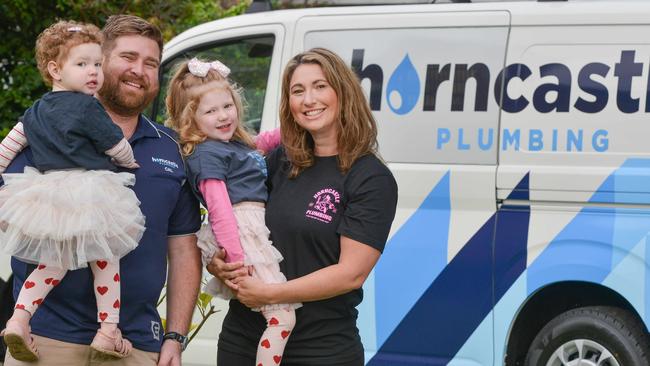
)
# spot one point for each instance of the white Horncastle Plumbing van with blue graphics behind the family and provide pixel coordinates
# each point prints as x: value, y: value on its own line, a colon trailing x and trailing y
x: 519, y: 135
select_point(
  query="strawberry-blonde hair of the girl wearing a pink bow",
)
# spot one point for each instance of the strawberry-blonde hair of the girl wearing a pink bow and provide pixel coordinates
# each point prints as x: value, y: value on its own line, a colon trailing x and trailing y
x: 183, y: 96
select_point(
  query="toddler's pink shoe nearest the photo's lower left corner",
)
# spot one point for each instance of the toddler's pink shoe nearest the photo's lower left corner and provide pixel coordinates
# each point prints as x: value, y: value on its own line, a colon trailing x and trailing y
x: 18, y: 338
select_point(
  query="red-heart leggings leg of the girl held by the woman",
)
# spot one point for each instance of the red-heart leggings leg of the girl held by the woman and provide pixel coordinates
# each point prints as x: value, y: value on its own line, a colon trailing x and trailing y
x: 279, y: 324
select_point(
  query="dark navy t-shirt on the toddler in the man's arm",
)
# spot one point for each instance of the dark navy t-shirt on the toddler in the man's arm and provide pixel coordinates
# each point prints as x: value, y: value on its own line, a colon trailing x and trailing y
x: 68, y: 129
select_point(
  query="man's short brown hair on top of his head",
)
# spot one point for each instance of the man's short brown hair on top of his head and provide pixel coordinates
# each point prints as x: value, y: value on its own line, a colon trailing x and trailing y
x: 129, y: 25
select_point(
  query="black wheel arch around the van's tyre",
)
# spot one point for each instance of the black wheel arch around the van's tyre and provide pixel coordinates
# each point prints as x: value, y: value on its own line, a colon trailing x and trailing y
x: 551, y: 301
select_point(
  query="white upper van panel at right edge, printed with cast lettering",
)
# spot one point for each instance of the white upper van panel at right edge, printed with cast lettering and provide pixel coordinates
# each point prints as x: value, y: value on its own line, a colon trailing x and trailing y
x: 577, y: 102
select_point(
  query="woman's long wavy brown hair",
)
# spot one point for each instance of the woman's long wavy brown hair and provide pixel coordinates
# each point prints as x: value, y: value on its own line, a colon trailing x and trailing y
x: 357, y: 129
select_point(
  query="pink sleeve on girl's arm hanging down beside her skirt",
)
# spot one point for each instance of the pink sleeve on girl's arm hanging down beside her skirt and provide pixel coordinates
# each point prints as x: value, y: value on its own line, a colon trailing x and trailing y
x: 222, y: 219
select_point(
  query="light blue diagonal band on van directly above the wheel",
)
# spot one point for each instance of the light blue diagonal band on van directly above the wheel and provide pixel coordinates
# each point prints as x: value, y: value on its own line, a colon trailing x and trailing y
x: 598, y: 238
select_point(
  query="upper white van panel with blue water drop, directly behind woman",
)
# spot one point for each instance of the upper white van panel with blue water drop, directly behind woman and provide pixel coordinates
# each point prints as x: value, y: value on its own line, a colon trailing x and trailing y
x: 430, y: 75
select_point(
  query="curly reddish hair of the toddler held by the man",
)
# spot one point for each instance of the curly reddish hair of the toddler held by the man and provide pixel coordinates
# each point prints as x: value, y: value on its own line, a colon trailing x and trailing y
x: 56, y: 41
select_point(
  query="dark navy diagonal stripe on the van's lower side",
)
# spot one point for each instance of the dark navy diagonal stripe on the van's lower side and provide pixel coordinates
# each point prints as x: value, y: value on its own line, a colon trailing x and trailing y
x: 461, y: 296
